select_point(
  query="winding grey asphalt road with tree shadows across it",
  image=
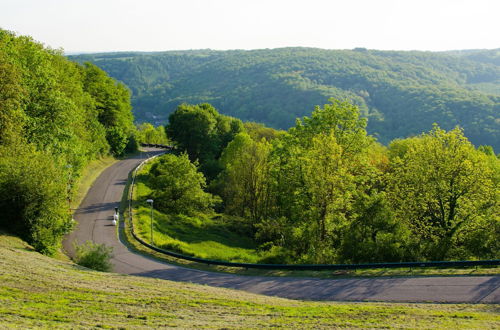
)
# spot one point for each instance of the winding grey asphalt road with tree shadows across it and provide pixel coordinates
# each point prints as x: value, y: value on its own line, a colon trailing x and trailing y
x: 94, y: 223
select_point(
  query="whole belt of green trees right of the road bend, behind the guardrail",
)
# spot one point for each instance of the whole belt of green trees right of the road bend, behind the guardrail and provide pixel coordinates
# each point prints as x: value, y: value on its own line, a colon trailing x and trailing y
x: 327, y: 192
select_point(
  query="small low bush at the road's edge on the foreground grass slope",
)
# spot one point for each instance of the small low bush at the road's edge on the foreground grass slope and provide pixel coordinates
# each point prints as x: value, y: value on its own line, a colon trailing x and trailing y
x: 94, y: 256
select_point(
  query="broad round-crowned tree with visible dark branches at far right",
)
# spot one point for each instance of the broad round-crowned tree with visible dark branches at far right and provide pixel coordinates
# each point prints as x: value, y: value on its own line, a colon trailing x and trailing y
x: 442, y: 188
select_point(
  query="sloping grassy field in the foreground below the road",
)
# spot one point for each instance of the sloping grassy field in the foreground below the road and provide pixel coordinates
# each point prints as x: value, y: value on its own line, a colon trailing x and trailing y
x: 41, y: 292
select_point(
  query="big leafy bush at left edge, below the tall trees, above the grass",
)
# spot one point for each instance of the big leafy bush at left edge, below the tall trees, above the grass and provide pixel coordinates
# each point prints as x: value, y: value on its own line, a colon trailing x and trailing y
x: 33, y: 197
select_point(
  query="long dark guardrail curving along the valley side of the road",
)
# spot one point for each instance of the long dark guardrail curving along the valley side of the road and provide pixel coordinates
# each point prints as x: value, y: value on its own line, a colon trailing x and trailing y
x: 467, y: 263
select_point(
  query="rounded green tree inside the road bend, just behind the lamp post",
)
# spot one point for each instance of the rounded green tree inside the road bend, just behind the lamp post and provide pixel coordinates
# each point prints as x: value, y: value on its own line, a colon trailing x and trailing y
x: 178, y: 186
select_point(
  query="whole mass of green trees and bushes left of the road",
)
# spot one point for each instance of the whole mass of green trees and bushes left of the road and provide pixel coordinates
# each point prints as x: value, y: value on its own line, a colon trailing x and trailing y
x: 55, y: 117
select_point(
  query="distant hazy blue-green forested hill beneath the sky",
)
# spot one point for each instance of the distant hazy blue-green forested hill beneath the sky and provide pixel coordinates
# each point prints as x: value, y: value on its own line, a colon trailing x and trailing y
x: 401, y: 93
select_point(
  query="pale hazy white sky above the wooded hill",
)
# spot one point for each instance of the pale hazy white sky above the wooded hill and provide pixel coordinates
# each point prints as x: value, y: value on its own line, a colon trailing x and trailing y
x: 149, y: 25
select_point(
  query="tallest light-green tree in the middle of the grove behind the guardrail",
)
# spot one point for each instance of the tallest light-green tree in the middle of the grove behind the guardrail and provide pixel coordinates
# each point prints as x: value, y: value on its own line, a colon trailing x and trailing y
x: 321, y: 177
